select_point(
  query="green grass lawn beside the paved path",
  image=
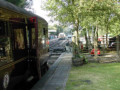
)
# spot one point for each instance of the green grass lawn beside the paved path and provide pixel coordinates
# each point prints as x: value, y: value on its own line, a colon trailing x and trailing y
x: 94, y: 76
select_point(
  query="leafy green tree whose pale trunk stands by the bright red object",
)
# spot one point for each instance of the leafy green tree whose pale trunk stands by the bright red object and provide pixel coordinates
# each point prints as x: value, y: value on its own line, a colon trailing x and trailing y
x: 99, y: 11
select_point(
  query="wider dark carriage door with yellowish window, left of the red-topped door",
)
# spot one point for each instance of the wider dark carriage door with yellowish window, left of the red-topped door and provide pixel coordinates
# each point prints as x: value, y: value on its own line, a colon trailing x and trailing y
x: 20, y: 52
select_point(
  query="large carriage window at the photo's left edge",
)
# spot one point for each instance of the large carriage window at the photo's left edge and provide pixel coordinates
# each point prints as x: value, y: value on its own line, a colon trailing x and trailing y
x: 5, y: 53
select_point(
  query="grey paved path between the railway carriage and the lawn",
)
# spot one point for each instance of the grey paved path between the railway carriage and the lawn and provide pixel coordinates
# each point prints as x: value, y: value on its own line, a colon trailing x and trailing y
x: 56, y: 77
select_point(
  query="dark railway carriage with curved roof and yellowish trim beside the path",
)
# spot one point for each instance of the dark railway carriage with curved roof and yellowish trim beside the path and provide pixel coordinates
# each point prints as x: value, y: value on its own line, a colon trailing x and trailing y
x: 23, y: 48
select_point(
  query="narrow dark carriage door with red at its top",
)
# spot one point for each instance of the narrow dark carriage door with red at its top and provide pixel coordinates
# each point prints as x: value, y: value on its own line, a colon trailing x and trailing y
x: 32, y: 45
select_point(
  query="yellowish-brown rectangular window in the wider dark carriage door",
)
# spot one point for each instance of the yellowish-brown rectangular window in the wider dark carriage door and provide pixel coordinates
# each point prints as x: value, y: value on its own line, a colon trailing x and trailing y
x: 19, y: 39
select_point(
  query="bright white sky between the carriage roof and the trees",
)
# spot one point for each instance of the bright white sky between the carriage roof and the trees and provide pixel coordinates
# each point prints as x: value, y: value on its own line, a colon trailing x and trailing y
x: 37, y: 4
